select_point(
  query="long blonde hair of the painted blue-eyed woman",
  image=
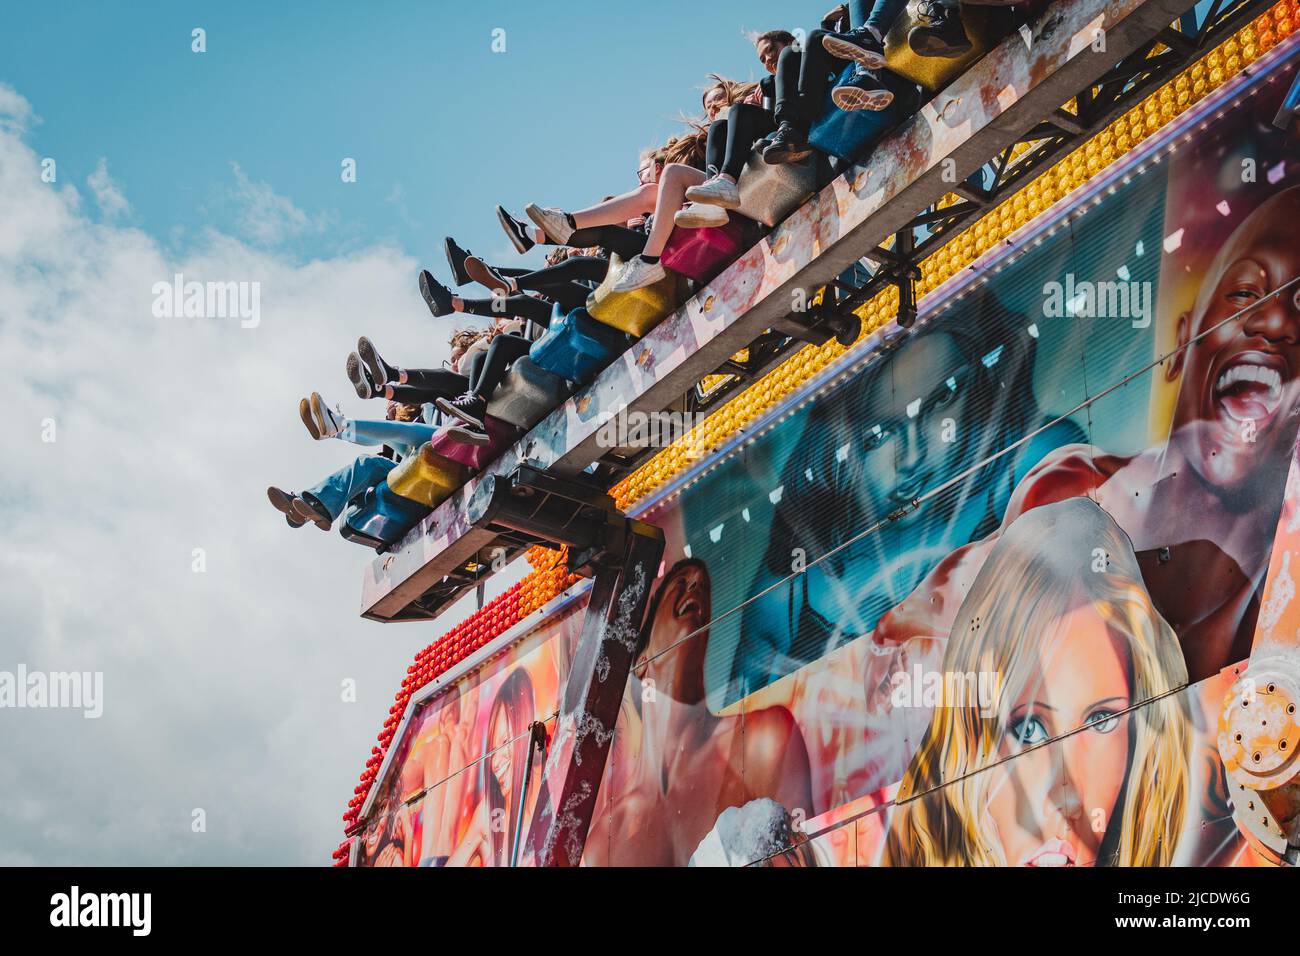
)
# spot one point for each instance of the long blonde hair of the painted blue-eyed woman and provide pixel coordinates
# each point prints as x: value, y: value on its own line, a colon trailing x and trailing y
x: 1039, y: 570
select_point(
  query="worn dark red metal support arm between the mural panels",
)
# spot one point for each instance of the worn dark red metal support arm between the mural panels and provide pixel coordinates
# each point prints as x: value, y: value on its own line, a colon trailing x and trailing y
x: 593, y: 694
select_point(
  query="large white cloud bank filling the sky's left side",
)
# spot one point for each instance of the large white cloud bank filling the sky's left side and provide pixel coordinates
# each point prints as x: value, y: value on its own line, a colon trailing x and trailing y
x: 222, y: 689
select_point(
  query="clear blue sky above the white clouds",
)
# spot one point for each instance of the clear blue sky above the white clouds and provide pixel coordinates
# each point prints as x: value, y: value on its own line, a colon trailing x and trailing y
x: 440, y: 126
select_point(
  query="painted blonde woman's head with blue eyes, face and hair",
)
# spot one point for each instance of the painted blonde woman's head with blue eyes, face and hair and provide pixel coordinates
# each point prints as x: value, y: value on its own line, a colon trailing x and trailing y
x: 1046, y: 781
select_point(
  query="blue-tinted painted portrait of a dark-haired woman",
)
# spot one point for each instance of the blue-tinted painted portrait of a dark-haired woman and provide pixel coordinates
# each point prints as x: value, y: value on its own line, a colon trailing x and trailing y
x: 933, y: 412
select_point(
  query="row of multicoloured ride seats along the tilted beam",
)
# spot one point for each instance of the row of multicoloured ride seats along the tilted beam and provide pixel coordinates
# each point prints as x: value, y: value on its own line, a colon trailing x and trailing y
x: 583, y: 343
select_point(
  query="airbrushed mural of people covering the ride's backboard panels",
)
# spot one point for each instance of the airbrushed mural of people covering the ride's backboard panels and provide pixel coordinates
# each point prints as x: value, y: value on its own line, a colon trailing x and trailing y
x: 1100, y: 566
